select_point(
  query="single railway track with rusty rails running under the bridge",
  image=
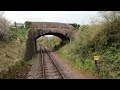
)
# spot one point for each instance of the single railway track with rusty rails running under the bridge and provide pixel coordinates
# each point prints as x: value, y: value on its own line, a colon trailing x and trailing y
x: 50, y: 70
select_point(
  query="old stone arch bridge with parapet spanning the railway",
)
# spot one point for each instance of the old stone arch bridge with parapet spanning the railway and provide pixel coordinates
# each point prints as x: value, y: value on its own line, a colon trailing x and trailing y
x: 38, y: 29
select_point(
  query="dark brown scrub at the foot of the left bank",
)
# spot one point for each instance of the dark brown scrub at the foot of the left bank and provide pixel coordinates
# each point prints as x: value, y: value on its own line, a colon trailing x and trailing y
x: 17, y: 71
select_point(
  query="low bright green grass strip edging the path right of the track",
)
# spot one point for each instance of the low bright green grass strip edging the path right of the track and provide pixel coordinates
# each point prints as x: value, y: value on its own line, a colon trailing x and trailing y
x: 87, y: 68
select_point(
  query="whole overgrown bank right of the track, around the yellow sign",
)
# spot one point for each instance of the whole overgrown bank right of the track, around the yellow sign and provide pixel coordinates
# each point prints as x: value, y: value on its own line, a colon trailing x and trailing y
x: 101, y: 40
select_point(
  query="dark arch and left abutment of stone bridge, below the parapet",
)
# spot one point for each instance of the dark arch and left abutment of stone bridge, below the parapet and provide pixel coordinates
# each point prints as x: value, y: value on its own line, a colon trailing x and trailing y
x: 31, y: 44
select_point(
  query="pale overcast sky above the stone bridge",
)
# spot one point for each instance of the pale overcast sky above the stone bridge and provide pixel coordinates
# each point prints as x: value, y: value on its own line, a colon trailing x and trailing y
x: 80, y: 17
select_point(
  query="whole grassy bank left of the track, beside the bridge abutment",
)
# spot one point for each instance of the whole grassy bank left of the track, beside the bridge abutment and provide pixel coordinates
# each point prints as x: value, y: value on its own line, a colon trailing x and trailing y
x: 12, y: 64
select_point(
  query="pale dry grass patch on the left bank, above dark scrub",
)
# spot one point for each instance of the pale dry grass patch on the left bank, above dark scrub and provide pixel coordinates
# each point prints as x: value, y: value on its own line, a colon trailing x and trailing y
x: 10, y: 53
